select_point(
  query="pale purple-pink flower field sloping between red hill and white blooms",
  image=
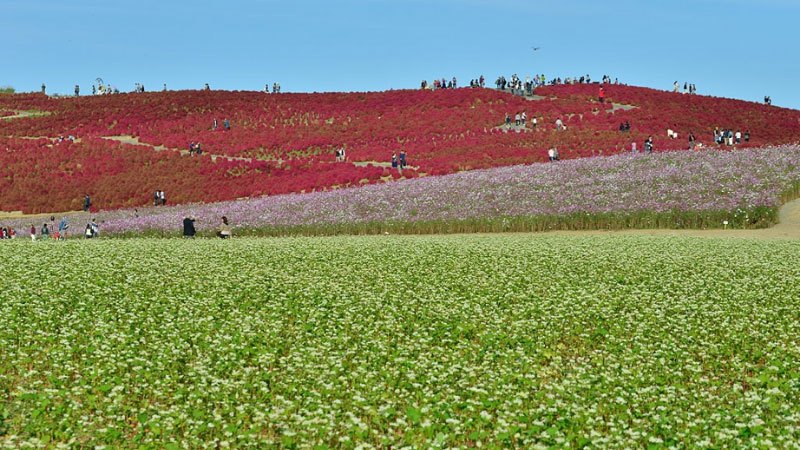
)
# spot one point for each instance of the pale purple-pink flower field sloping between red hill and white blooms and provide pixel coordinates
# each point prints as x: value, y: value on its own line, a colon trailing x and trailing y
x: 664, y: 190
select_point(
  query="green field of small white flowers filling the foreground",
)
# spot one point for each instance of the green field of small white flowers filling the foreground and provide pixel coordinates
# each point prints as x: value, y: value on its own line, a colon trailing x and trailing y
x: 403, y: 342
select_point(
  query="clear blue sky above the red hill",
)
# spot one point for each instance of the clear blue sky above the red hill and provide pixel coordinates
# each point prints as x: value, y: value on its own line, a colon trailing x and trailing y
x: 734, y: 48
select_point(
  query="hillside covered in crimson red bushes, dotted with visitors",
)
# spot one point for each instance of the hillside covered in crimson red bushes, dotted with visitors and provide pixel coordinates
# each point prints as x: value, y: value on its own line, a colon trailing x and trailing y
x: 129, y: 145
